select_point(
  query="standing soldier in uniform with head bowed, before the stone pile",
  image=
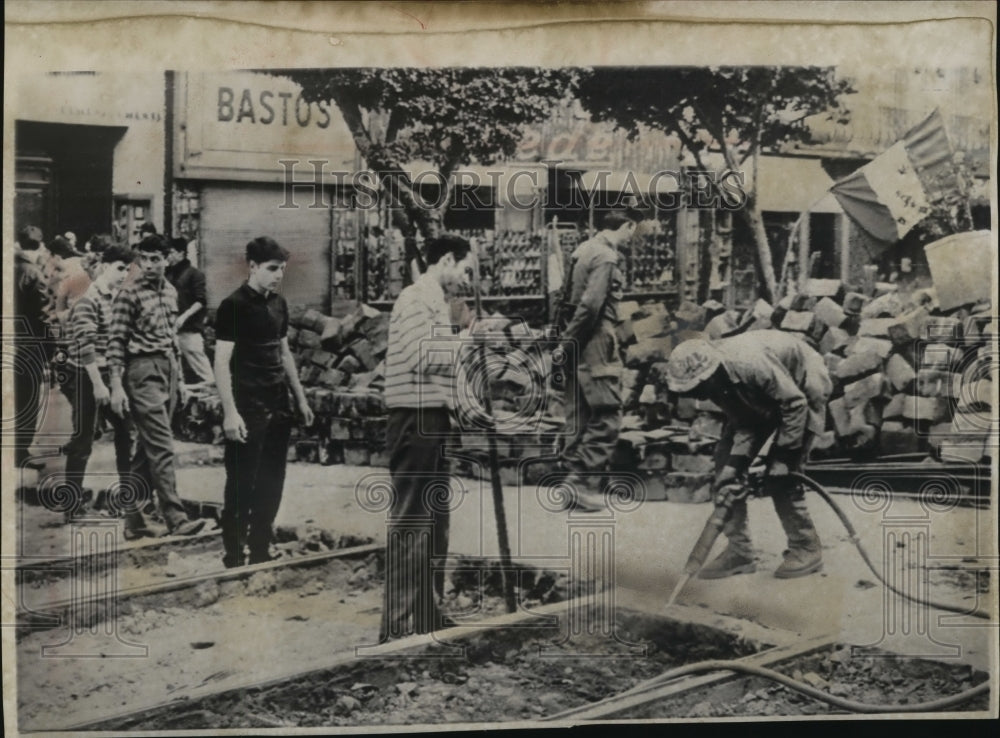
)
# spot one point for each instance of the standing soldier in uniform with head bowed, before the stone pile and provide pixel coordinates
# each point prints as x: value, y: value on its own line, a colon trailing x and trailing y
x: 593, y: 388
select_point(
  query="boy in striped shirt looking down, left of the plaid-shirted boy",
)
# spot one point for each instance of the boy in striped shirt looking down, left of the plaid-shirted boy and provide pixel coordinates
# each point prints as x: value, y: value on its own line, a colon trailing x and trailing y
x: 86, y: 382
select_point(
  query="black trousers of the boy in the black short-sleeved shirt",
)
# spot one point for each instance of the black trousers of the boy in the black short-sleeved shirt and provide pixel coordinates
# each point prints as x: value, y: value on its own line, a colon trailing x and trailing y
x: 255, y: 476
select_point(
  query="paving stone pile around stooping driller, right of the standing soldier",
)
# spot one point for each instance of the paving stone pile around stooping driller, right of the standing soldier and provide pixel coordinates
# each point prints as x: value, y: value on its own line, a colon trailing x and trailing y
x: 909, y: 378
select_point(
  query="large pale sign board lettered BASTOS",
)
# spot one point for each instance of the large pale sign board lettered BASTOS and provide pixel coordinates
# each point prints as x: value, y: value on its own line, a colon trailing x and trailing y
x: 242, y: 125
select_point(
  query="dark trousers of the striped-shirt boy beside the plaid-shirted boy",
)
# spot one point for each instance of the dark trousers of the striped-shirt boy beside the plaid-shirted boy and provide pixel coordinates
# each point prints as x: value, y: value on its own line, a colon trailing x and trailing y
x: 79, y: 391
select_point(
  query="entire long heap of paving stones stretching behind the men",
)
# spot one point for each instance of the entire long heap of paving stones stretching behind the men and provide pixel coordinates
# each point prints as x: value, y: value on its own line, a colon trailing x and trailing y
x: 908, y: 377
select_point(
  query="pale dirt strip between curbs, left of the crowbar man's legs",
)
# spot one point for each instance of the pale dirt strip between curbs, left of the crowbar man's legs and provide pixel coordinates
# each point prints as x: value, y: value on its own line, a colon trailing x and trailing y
x: 206, y: 637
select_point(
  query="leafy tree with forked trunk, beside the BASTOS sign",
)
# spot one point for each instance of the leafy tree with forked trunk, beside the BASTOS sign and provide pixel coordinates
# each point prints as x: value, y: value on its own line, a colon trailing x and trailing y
x: 450, y: 117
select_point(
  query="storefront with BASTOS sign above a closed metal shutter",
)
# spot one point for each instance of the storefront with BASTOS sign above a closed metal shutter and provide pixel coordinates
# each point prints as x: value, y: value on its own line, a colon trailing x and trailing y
x: 252, y: 158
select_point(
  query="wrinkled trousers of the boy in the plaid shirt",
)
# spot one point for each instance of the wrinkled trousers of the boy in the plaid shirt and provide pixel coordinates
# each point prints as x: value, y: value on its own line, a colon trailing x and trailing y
x: 151, y: 385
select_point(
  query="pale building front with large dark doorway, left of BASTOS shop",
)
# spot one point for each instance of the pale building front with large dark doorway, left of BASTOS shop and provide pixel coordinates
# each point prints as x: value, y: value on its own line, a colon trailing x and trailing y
x: 90, y: 153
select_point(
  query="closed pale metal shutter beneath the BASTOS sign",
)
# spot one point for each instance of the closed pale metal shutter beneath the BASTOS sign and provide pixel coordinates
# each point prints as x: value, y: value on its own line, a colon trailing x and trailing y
x: 234, y: 214
